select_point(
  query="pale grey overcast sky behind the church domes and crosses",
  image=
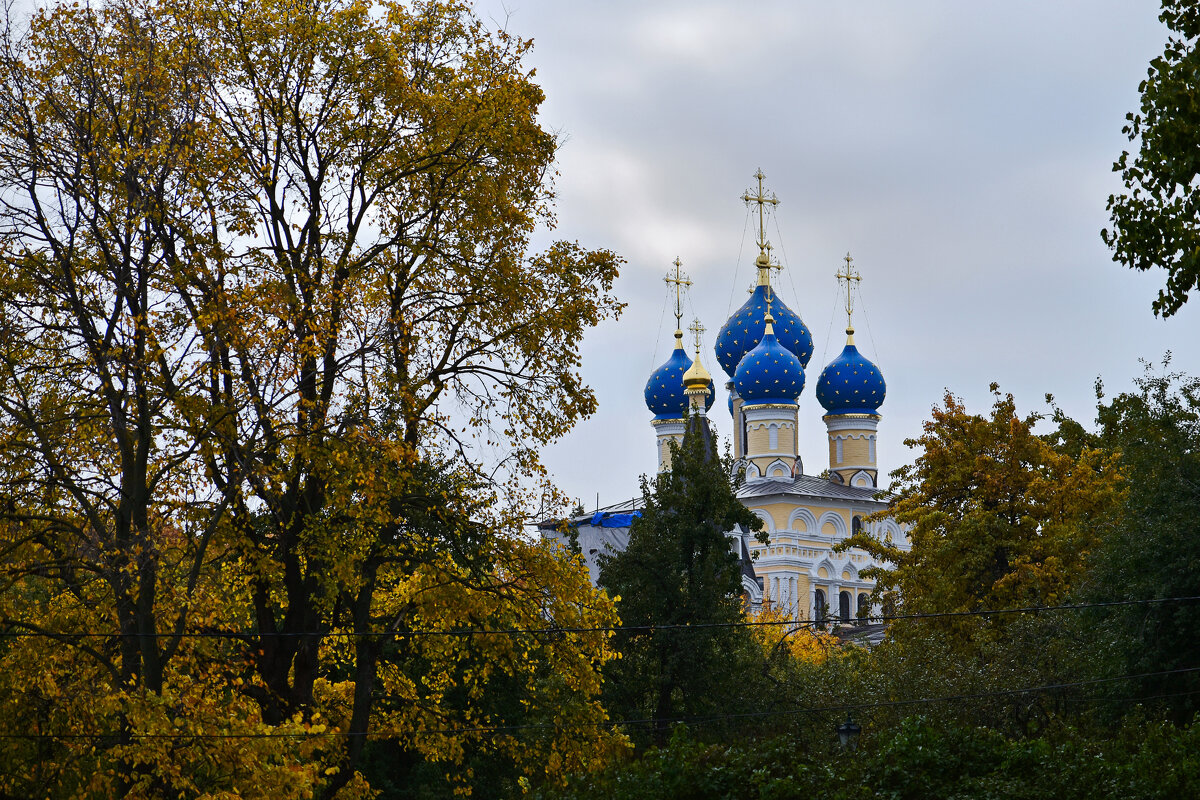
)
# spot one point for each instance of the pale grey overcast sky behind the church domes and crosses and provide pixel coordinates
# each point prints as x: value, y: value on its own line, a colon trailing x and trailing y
x: 962, y: 153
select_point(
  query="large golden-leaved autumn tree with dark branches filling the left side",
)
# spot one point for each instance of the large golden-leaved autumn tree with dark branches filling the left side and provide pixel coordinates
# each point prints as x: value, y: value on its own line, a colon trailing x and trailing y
x: 269, y: 305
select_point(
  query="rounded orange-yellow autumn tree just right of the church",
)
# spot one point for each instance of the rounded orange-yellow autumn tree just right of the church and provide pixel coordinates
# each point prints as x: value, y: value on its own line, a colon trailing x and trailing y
x: 998, y: 516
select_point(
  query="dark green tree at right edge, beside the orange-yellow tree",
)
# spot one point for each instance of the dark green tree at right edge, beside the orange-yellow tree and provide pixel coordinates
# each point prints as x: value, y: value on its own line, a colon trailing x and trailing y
x: 1155, y: 551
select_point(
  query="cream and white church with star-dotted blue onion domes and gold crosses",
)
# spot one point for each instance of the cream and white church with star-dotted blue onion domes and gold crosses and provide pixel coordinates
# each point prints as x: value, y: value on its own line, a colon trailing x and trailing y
x: 765, y: 350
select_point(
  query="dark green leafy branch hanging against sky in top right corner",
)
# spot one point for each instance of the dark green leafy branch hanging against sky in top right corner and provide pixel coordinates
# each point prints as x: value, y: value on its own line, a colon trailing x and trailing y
x: 1155, y: 220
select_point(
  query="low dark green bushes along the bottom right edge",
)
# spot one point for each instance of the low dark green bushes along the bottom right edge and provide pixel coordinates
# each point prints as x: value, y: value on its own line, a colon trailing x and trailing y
x: 919, y: 760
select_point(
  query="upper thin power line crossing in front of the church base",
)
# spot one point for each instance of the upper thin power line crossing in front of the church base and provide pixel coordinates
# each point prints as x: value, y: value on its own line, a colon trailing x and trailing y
x: 597, y: 629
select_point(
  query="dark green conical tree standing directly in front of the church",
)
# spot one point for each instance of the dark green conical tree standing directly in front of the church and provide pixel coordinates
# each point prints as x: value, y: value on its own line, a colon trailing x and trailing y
x: 680, y: 570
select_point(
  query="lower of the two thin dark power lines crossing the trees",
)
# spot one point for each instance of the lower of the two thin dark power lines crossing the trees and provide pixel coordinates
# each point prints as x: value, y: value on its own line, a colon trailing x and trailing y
x: 700, y: 720
